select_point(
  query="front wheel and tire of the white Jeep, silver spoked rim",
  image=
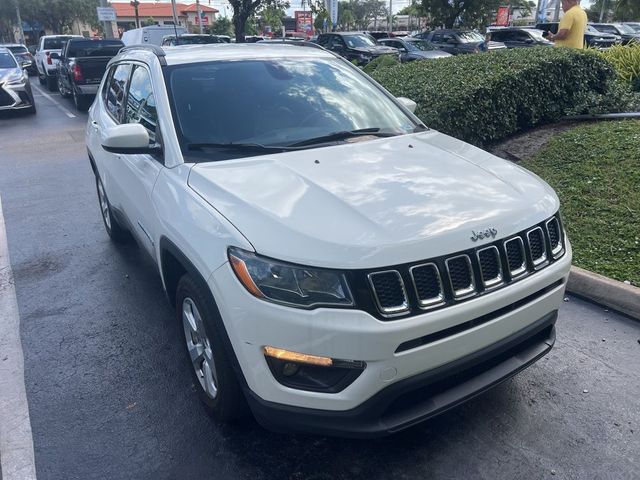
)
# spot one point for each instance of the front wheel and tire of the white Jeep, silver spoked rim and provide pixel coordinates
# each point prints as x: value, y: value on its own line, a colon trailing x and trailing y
x: 200, y: 322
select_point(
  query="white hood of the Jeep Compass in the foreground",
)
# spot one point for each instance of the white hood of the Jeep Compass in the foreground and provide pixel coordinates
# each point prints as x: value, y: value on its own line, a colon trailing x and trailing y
x: 373, y: 203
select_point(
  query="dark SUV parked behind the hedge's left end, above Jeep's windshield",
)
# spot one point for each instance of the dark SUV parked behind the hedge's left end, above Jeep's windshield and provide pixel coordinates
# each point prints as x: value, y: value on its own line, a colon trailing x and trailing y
x: 354, y: 46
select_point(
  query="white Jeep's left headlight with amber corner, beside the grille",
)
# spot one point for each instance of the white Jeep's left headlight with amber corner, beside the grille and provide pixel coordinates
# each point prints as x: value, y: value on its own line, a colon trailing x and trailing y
x: 289, y: 284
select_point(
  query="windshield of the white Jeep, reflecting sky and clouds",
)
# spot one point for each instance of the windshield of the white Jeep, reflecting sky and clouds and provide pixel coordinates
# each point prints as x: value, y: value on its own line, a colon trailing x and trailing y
x: 275, y: 102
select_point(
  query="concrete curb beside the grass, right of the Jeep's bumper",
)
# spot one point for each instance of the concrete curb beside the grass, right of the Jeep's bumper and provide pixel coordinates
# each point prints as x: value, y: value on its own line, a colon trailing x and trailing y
x: 605, y: 291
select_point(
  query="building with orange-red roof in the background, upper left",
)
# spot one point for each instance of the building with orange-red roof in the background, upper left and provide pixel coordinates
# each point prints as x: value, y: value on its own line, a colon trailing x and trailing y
x: 162, y: 14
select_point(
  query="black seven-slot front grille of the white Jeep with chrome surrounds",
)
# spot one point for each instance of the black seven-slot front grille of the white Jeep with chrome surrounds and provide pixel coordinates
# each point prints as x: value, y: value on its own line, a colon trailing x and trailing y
x: 442, y: 281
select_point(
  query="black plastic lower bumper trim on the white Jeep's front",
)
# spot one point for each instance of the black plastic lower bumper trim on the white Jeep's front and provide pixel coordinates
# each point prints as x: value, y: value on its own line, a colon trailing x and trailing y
x: 418, y: 398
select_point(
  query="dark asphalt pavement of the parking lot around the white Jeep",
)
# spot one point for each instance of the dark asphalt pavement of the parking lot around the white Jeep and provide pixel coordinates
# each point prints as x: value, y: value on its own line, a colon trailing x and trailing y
x: 109, y: 390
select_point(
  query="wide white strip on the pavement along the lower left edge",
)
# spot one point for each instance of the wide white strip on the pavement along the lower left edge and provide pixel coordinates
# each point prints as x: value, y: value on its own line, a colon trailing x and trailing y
x: 16, y: 443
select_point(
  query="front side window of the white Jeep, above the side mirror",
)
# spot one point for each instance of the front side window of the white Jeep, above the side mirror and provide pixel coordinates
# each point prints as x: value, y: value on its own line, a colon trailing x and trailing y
x: 141, y: 104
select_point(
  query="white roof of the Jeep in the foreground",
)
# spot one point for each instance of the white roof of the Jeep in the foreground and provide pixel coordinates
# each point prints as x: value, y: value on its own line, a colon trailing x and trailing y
x: 185, y: 54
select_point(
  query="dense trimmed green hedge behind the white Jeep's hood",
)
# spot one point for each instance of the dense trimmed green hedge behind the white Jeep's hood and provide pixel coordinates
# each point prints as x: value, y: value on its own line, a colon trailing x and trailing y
x: 484, y: 97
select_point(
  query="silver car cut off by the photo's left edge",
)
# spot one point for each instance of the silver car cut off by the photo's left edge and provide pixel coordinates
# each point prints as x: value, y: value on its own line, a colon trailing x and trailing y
x: 15, y: 88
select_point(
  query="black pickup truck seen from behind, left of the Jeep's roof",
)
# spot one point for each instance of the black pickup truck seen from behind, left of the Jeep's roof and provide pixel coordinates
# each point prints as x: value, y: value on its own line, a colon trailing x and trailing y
x: 81, y: 67
